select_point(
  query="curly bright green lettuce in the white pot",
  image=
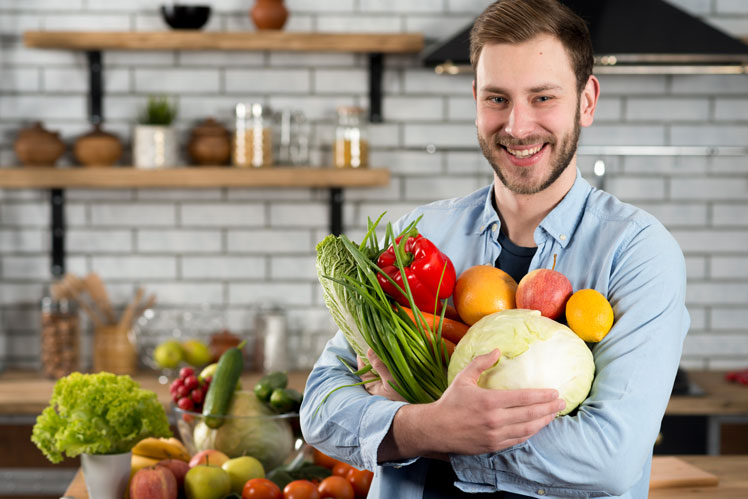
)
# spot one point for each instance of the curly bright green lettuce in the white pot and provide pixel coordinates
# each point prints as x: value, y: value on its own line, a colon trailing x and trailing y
x: 98, y: 413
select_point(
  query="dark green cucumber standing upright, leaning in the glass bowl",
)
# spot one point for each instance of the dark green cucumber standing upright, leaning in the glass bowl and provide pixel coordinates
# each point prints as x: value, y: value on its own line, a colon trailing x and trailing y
x: 222, y: 388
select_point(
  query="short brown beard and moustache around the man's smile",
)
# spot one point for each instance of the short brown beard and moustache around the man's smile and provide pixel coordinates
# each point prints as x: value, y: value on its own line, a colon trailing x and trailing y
x: 567, y: 149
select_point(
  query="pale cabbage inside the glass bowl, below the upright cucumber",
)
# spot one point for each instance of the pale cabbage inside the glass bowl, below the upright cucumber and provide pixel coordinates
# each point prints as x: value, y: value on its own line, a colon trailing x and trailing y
x: 252, y: 429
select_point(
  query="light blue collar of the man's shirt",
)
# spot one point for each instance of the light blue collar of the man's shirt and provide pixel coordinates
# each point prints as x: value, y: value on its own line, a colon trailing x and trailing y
x: 560, y: 223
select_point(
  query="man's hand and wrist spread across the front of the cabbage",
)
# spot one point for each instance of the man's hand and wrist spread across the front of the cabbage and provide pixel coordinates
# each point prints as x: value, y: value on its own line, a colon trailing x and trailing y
x: 468, y: 419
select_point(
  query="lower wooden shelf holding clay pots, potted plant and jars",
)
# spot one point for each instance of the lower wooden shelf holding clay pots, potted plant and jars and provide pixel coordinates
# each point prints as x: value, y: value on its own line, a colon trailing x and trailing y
x: 190, y: 177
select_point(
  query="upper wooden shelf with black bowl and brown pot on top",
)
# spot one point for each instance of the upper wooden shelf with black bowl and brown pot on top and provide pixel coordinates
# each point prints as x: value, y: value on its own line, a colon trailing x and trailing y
x: 206, y: 40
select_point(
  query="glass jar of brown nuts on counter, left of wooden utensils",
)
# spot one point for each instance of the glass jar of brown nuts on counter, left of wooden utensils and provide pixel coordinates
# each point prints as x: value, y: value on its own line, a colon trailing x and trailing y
x: 60, y: 337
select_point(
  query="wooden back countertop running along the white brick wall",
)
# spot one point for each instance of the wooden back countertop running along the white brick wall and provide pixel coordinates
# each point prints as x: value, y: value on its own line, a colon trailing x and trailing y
x: 28, y: 392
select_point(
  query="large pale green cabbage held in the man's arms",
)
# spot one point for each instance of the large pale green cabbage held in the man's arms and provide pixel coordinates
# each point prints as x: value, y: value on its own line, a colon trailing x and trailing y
x: 536, y: 352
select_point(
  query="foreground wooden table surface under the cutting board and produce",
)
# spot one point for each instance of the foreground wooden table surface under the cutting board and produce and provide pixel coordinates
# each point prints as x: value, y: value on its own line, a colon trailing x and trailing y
x: 731, y: 470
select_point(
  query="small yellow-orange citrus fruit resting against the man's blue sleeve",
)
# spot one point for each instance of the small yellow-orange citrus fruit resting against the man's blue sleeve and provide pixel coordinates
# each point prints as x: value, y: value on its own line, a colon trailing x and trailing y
x: 589, y: 314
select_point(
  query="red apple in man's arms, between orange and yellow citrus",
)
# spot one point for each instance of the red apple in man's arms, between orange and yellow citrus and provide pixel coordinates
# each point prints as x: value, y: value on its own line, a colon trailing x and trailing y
x: 546, y: 290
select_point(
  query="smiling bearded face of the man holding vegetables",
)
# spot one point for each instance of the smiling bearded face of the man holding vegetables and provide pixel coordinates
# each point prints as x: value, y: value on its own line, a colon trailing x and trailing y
x: 529, y: 112
